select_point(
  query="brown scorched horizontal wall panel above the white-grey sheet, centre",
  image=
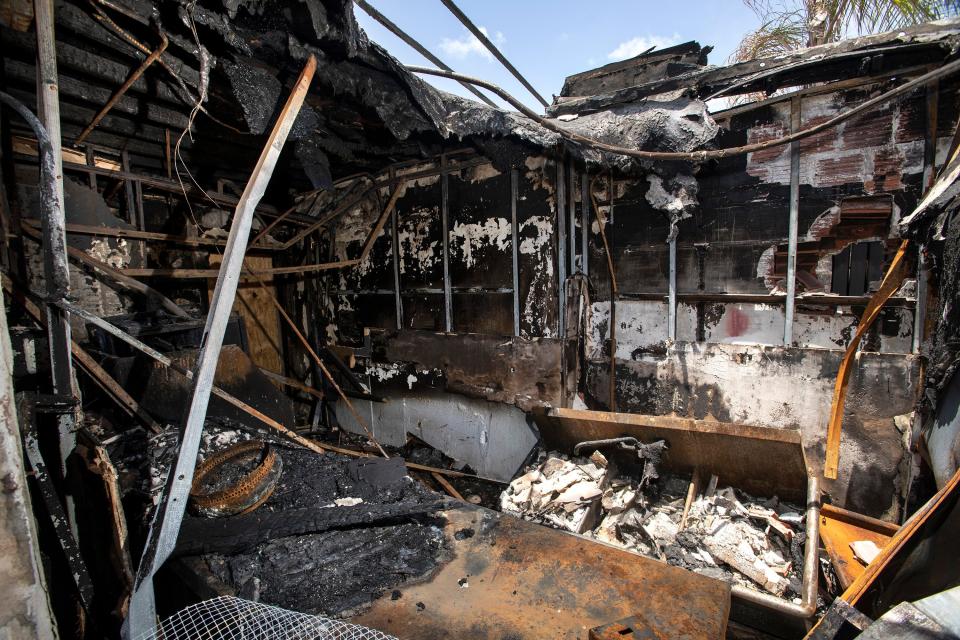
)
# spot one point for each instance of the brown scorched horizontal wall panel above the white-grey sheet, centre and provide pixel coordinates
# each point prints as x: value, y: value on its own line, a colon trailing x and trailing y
x: 516, y: 371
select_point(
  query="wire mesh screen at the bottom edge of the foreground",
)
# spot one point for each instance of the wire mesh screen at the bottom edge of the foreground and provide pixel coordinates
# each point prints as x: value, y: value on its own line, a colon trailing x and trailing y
x: 229, y: 618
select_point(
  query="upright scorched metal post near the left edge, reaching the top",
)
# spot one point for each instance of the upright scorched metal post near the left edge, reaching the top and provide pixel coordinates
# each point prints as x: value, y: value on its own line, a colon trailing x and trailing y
x: 56, y: 271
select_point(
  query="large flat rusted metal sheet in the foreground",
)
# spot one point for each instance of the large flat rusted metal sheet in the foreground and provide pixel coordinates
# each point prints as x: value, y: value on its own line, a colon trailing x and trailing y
x: 508, y: 578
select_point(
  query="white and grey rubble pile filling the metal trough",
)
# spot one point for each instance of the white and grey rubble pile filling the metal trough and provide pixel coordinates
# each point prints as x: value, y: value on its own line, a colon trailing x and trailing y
x: 719, y: 532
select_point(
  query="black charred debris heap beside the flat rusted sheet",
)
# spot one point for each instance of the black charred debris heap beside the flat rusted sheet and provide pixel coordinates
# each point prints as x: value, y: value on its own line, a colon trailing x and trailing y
x: 340, y: 569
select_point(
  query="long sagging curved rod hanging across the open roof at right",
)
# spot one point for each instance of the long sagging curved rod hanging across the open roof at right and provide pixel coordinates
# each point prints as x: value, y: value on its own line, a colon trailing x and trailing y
x: 700, y: 156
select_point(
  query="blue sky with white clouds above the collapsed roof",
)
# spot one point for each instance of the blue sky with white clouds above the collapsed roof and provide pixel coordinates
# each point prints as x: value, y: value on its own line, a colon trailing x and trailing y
x: 548, y: 41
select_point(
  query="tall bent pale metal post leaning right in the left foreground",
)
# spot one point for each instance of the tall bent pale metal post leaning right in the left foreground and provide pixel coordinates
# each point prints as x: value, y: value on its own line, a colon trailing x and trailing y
x: 169, y: 513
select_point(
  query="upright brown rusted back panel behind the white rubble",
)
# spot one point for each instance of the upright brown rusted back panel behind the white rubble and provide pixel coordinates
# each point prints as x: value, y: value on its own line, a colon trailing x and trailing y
x: 759, y: 460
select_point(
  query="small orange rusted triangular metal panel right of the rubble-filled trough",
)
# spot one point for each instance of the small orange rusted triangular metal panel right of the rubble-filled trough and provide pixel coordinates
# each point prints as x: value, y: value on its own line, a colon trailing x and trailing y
x: 839, y: 527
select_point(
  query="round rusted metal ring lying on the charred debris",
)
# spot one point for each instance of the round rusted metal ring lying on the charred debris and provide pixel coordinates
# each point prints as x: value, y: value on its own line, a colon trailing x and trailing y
x: 247, y: 493
